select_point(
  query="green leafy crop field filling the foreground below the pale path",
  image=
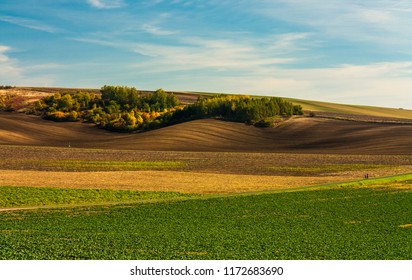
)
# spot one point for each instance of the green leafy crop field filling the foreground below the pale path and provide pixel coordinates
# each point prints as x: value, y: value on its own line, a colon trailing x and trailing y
x: 359, y: 220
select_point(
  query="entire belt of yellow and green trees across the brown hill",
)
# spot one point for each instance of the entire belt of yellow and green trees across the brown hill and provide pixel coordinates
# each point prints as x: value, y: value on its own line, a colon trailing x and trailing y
x: 121, y: 108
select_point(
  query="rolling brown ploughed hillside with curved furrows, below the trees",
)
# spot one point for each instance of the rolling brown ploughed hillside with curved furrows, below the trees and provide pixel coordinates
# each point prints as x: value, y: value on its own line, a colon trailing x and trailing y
x: 308, y: 135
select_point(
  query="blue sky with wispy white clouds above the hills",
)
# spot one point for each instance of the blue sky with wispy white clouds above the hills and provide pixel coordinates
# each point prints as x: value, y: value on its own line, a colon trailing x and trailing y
x: 344, y: 51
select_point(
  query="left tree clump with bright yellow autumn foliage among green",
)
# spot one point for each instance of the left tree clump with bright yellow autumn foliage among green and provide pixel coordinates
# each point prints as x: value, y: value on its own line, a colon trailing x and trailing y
x: 117, y: 108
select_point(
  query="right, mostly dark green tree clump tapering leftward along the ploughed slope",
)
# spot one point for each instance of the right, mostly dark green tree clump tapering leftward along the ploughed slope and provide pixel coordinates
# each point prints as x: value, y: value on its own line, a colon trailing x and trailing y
x: 259, y: 111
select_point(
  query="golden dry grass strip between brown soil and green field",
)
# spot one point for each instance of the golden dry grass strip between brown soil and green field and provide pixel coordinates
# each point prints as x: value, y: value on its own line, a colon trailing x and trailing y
x: 188, y: 182
